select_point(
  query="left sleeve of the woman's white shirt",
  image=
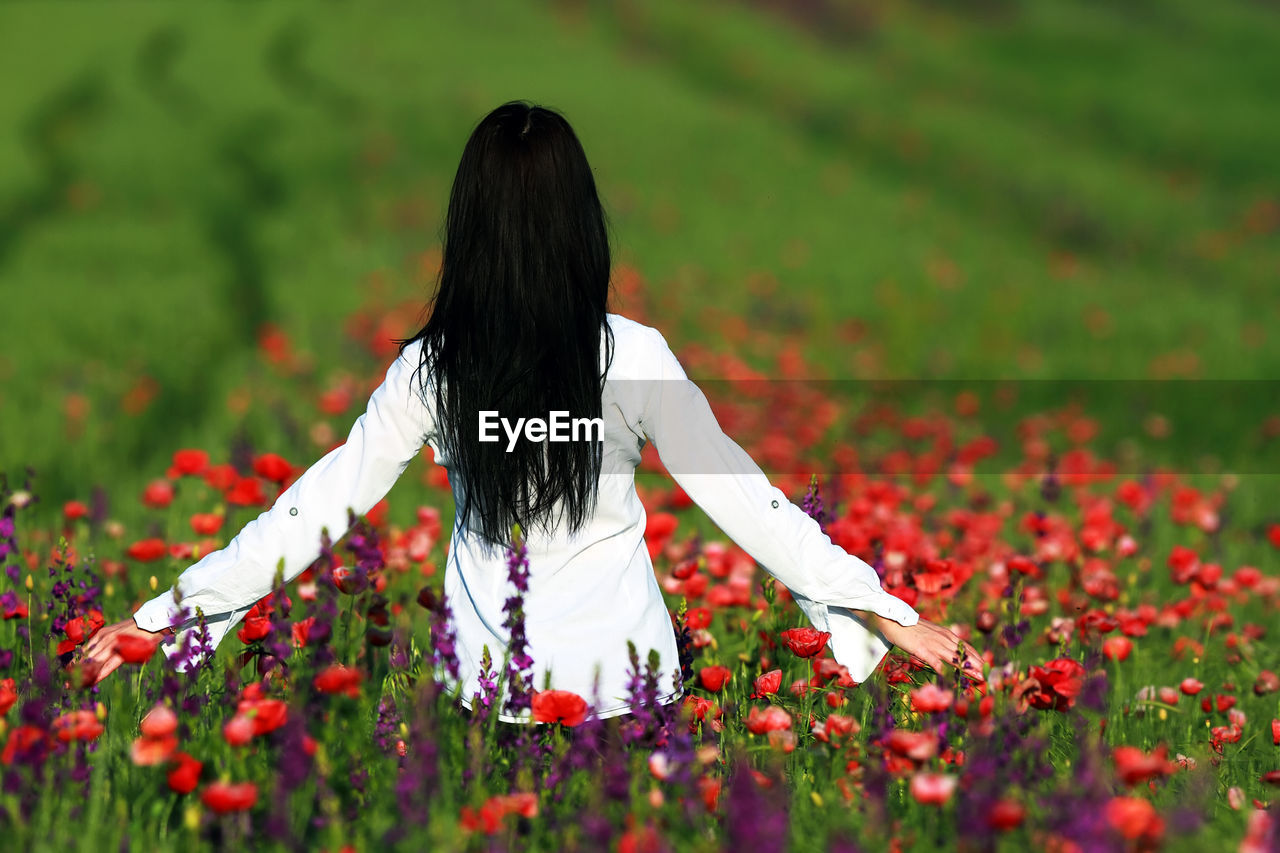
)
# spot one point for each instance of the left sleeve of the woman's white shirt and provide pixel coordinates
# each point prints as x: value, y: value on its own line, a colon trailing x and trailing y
x: 385, y: 440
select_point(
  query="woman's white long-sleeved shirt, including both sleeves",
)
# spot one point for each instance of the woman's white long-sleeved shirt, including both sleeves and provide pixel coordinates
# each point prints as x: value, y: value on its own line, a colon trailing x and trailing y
x: 588, y: 595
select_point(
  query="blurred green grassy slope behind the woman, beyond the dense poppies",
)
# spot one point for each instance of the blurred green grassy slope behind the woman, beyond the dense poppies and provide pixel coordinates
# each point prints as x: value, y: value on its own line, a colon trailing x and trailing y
x: 1036, y: 190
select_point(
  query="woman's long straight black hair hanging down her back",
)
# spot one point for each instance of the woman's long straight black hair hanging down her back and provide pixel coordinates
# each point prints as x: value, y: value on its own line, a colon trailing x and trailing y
x: 518, y: 320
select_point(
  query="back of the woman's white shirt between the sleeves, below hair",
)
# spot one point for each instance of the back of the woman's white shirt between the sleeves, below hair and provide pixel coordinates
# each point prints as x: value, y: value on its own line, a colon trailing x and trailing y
x: 592, y: 592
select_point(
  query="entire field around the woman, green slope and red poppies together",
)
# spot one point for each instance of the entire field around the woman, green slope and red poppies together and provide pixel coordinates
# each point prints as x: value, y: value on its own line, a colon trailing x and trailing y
x: 214, y: 220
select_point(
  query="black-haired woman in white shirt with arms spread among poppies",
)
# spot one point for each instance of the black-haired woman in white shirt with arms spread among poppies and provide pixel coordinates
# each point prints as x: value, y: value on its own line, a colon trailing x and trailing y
x: 519, y: 334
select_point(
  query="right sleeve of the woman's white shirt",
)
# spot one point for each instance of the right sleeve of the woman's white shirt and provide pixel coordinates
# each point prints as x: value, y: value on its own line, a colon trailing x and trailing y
x: 829, y: 583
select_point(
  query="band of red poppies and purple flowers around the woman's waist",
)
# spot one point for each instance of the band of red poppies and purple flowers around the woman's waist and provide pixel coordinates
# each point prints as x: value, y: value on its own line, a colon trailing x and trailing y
x: 1131, y: 701
